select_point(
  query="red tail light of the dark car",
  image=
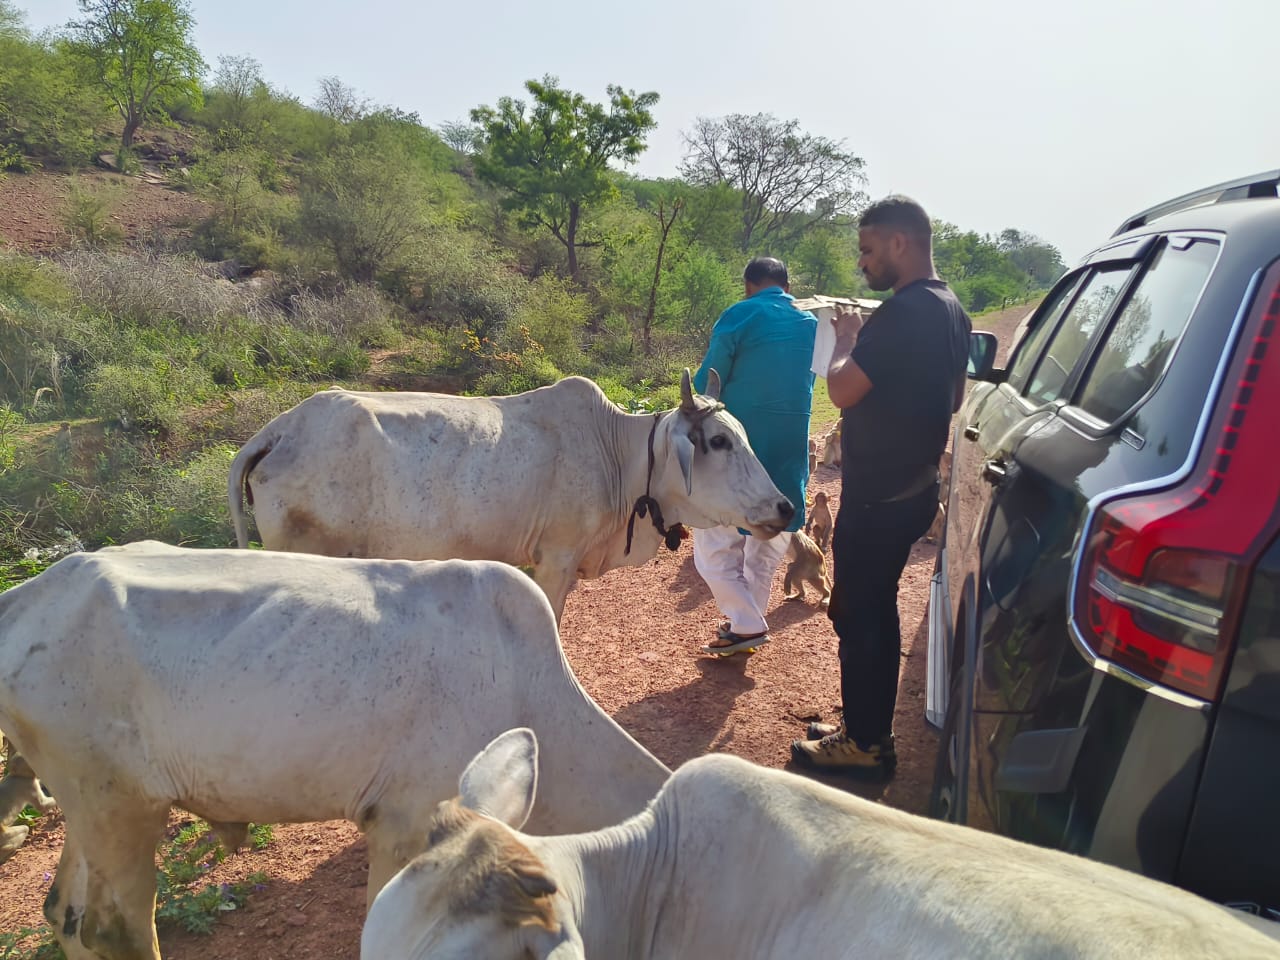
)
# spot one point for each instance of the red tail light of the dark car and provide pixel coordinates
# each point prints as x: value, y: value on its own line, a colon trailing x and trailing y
x: 1164, y: 575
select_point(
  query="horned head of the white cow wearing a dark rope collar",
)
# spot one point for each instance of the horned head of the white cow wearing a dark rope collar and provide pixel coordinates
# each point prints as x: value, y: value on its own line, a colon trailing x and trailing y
x: 714, y: 477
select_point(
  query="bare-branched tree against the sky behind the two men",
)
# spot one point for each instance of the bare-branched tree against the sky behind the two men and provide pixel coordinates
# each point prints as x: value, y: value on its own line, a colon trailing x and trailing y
x: 787, y: 180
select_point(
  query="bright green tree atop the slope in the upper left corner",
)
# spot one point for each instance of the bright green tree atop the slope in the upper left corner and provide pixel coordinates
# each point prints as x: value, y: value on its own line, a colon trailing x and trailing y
x: 140, y: 53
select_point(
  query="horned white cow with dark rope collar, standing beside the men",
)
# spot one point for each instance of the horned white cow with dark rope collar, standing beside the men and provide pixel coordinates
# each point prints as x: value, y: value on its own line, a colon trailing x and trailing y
x: 548, y: 478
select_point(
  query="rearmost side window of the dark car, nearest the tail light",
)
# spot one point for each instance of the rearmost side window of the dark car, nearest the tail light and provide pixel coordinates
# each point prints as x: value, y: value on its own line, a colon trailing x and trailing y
x: 1137, y: 349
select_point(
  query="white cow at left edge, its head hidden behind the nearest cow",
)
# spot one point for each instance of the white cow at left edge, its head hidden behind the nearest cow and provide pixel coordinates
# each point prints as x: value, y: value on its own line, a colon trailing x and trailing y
x: 257, y: 687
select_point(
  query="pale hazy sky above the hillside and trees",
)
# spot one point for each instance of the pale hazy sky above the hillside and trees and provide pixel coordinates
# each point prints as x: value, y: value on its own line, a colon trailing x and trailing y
x: 1053, y: 118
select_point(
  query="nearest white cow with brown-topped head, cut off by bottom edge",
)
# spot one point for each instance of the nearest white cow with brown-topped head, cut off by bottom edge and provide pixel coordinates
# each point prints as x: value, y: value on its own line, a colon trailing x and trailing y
x: 737, y: 861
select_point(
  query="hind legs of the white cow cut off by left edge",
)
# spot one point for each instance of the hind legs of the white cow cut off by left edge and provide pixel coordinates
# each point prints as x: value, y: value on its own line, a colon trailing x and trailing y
x: 103, y: 903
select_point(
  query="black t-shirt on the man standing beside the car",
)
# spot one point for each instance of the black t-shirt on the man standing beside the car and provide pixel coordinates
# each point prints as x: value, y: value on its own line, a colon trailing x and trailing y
x: 915, y: 350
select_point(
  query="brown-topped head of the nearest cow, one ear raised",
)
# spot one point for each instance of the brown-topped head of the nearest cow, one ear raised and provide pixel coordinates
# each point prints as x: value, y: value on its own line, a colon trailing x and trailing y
x: 478, y: 892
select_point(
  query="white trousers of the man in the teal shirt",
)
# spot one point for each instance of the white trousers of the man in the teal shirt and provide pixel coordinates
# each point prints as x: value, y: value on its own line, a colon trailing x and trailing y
x: 739, y: 570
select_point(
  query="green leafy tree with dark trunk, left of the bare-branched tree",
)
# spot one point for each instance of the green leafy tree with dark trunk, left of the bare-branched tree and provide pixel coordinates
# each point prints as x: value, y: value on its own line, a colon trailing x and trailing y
x: 554, y: 157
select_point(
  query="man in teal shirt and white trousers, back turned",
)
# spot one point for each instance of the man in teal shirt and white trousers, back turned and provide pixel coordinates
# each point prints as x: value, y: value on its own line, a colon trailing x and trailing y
x: 762, y: 348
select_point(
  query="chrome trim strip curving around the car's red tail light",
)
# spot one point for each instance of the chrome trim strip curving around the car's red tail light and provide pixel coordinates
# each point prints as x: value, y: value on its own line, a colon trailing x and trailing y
x: 1087, y: 652
